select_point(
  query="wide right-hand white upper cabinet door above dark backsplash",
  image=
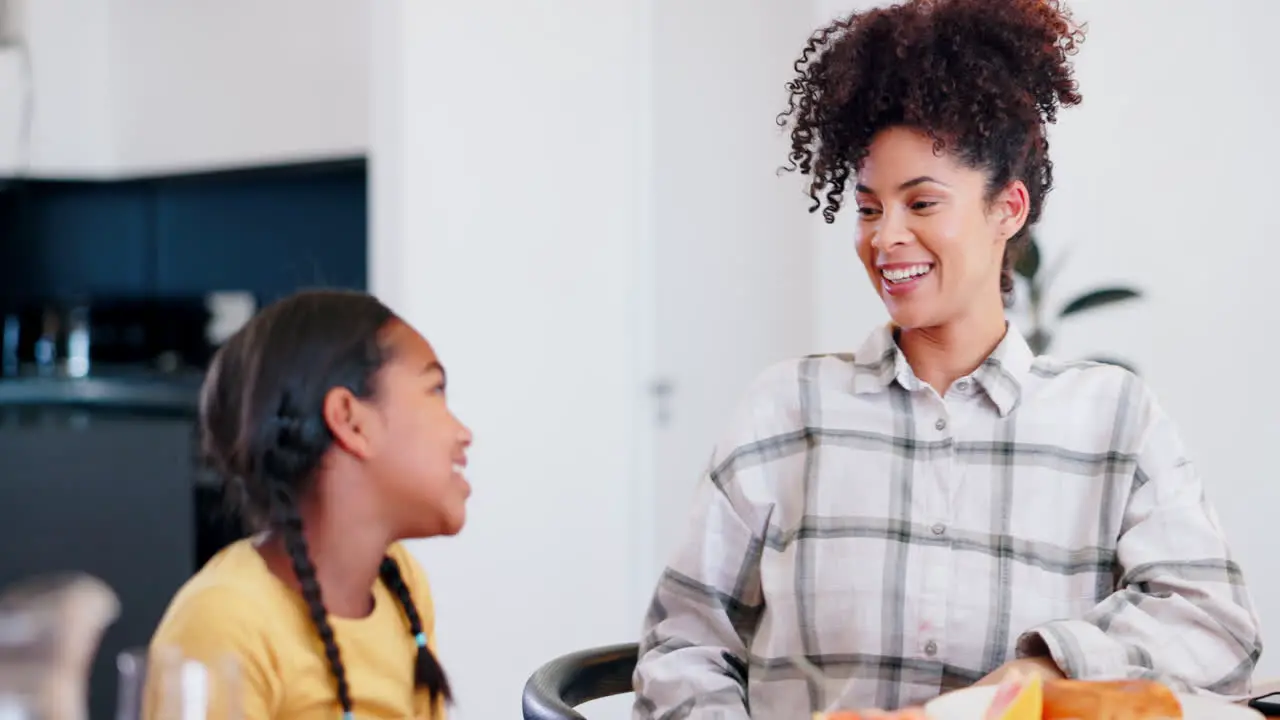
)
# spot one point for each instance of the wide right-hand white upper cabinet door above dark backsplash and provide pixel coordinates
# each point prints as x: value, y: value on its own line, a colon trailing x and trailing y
x: 237, y: 83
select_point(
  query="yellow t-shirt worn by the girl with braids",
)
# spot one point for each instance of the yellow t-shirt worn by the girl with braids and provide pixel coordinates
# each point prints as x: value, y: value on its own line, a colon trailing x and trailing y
x: 236, y: 614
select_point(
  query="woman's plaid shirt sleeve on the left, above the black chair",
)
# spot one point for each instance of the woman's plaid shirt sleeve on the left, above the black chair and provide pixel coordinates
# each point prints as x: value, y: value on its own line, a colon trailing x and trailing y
x: 694, y: 650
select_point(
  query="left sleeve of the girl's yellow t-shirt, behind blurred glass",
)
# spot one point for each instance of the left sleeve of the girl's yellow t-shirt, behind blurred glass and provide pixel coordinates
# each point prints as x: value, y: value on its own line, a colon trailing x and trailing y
x: 218, y: 628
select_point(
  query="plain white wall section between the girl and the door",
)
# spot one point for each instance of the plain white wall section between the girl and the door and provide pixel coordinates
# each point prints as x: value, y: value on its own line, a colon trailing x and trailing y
x: 509, y: 197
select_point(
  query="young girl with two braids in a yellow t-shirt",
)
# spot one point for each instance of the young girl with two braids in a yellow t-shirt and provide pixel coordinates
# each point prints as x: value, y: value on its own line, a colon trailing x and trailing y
x: 328, y: 418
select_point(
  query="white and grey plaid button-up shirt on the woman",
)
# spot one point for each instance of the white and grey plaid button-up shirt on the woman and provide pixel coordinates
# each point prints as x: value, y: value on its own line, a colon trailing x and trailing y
x: 907, y: 544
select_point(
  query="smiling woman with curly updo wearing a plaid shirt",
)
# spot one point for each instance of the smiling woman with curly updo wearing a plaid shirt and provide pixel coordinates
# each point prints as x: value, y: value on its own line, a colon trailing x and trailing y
x: 940, y: 507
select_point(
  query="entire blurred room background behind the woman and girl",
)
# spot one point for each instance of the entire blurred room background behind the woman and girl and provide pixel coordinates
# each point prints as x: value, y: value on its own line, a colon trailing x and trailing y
x: 578, y: 203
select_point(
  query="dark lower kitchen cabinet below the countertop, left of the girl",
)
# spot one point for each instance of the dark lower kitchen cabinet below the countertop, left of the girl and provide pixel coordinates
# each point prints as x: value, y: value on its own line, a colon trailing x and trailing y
x: 106, y: 493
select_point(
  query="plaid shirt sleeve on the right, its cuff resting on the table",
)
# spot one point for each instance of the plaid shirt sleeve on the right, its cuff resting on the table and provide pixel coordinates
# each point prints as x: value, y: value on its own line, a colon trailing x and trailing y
x: 1181, y: 613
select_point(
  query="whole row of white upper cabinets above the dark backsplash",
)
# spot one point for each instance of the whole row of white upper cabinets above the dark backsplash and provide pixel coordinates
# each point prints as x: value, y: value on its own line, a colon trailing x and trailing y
x: 131, y: 88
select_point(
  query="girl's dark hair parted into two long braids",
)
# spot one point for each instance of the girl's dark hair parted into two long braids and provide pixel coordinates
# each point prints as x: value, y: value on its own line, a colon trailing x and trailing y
x: 264, y: 431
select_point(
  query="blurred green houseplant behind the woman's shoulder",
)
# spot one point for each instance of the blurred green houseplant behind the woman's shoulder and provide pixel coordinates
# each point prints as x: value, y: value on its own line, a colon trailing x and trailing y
x: 1044, y: 322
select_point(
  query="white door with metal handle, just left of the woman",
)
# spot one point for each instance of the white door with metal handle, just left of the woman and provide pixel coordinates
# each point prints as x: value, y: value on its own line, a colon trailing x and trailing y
x: 732, y: 238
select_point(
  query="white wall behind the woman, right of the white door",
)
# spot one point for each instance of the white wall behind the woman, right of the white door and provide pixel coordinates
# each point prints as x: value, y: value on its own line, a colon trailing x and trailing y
x: 1165, y: 180
